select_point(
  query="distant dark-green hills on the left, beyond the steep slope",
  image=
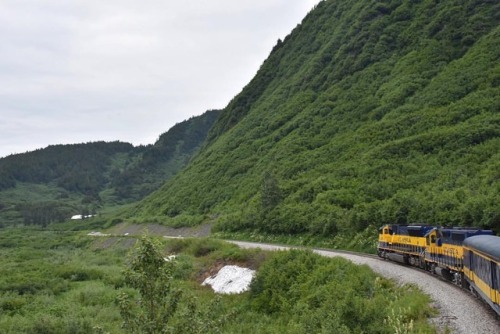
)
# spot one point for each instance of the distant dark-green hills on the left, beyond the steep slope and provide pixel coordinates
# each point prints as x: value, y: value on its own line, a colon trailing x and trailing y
x: 59, y: 181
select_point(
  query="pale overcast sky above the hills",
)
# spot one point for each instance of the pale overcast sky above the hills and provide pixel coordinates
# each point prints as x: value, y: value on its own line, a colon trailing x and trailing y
x: 74, y: 71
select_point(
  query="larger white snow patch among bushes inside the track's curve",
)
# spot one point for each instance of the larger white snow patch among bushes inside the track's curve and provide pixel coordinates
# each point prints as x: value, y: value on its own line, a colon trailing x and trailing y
x: 231, y: 279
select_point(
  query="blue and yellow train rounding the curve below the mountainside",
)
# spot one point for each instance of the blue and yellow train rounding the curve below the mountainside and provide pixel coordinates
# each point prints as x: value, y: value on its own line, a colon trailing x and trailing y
x: 469, y: 257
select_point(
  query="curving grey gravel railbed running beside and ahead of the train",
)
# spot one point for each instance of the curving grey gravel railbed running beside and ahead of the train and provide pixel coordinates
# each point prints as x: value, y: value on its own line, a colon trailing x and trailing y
x: 458, y: 310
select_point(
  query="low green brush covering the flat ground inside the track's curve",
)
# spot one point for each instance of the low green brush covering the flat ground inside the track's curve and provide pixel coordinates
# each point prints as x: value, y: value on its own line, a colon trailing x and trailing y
x: 68, y: 282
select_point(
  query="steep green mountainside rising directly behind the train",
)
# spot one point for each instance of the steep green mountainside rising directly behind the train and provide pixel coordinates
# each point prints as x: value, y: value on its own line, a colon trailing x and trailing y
x: 369, y: 112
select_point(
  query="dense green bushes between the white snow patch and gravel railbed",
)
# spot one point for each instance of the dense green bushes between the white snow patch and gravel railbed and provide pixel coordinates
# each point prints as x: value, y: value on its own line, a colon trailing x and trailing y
x: 318, y: 294
